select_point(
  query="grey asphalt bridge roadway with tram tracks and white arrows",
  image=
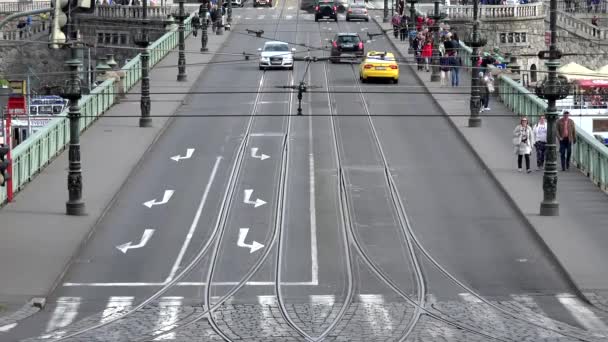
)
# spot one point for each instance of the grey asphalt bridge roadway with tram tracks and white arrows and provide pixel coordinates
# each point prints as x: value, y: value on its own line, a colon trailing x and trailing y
x: 457, y: 213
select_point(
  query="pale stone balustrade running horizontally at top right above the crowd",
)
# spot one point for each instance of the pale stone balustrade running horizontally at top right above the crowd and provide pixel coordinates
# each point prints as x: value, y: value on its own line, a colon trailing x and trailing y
x: 497, y: 12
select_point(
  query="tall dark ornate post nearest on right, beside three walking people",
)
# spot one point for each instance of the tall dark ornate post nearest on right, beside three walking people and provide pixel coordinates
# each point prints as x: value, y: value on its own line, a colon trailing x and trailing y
x: 552, y: 88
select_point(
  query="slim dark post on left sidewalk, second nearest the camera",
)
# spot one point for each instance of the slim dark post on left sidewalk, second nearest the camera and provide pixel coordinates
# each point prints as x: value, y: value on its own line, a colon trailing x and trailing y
x: 145, y: 120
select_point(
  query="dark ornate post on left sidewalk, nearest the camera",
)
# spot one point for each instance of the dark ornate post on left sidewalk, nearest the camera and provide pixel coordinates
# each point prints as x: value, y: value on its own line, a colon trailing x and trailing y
x: 75, y: 205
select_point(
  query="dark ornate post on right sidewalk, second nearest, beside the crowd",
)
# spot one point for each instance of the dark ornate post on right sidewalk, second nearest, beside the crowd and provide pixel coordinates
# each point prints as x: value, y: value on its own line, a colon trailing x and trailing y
x: 475, y: 42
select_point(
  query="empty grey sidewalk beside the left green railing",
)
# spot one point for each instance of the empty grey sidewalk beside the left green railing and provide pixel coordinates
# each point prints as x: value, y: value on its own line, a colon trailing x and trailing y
x: 38, y: 239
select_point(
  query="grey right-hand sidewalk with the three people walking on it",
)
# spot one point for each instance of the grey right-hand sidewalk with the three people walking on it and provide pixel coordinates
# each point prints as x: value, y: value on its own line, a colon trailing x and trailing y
x: 578, y: 237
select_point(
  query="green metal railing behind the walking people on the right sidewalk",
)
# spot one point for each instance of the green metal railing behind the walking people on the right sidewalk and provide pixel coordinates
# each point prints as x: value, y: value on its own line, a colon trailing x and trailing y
x: 589, y: 155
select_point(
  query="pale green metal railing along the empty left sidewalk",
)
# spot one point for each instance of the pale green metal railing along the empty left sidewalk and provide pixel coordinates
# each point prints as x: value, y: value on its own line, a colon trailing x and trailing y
x: 36, y: 152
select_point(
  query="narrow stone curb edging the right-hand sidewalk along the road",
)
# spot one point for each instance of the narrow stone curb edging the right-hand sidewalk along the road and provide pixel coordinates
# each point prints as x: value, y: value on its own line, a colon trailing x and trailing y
x: 564, y: 267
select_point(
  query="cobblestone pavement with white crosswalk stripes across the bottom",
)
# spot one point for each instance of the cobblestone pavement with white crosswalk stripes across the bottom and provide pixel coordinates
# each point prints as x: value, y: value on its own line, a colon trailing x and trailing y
x: 363, y: 320
